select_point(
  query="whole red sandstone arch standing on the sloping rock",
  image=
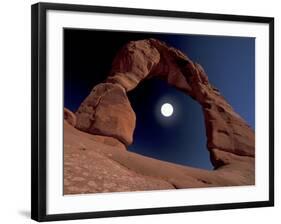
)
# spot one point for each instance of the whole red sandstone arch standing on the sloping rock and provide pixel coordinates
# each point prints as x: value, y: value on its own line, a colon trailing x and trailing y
x: 107, y: 110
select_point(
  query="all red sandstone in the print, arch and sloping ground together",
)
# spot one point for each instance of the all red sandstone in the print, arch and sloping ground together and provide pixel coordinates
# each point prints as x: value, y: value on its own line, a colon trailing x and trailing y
x: 96, y: 136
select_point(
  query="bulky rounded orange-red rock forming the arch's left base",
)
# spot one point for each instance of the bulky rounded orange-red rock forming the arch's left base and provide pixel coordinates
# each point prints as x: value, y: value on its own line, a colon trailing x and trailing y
x: 107, y: 111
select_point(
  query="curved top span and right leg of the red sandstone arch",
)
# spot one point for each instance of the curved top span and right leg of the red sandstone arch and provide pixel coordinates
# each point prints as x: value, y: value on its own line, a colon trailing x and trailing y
x: 225, y: 129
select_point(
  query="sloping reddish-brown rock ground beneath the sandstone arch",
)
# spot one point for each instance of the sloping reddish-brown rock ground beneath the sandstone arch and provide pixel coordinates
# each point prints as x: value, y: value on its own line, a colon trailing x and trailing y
x: 95, y: 164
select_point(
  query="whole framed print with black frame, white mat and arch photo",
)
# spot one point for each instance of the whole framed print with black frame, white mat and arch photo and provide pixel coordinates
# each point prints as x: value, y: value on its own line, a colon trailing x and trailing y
x: 138, y: 111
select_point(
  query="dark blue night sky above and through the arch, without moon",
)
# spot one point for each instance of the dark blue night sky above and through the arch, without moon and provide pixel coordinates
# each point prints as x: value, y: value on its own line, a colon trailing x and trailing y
x: 228, y: 61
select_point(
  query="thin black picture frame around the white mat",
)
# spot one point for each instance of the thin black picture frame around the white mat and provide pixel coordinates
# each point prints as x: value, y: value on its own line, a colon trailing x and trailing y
x: 39, y: 121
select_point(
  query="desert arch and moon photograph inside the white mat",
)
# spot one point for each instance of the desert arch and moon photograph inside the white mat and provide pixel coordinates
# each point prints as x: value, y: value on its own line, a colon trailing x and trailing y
x: 150, y: 111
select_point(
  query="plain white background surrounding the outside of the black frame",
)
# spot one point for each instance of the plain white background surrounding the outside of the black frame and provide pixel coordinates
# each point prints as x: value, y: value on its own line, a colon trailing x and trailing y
x: 15, y: 110
